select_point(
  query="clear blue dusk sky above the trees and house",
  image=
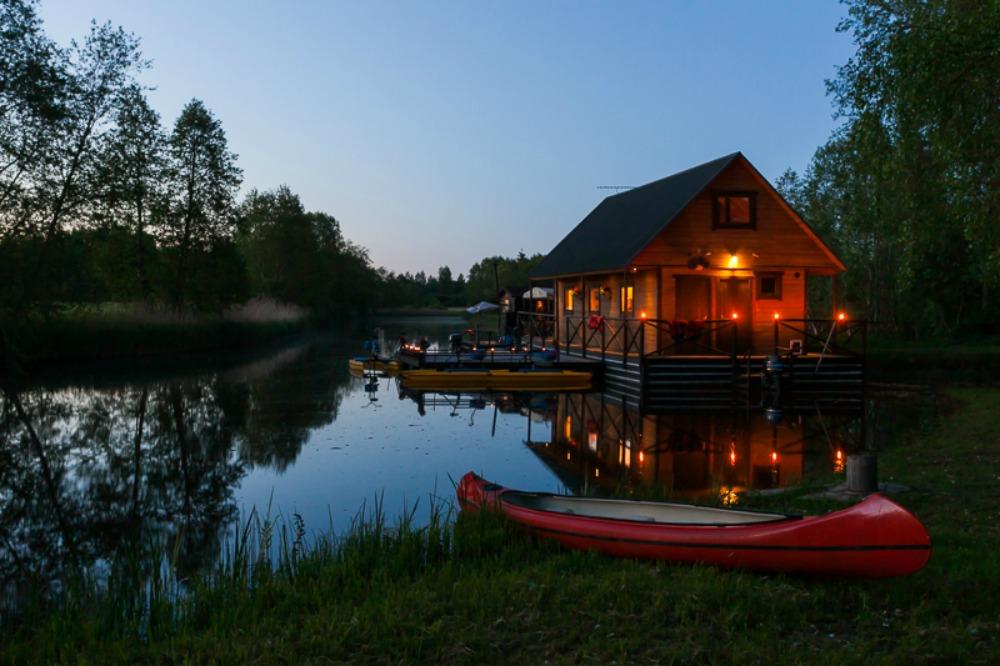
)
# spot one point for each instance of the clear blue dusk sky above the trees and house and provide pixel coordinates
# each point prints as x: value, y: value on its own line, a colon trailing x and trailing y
x: 440, y: 132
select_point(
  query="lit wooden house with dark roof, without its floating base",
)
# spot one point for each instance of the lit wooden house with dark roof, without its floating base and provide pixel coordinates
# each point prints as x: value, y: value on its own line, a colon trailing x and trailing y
x: 712, y: 249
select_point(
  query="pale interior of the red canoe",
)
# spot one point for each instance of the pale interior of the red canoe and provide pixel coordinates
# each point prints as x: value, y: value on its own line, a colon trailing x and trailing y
x: 641, y: 511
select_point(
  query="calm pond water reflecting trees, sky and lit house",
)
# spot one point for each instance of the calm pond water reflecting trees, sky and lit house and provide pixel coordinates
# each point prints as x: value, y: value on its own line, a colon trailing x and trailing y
x: 135, y: 460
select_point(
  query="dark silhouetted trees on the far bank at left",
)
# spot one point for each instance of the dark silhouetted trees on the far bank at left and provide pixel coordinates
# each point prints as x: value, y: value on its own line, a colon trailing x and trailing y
x: 100, y: 202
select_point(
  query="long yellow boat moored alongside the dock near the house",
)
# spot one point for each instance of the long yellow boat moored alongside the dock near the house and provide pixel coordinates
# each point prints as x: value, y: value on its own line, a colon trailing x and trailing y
x: 528, y: 379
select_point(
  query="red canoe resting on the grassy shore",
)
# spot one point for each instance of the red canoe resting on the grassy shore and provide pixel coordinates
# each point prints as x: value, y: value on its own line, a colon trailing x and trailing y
x: 874, y: 538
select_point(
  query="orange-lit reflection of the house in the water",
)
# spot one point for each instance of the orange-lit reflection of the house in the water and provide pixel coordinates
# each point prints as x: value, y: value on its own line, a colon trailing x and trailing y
x: 596, y: 444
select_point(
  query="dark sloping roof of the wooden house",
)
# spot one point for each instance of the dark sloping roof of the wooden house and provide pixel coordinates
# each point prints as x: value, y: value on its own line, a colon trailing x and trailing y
x: 623, y: 224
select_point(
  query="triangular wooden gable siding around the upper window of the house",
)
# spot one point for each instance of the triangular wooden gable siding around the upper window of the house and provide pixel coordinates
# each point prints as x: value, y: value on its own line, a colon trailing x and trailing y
x: 779, y: 240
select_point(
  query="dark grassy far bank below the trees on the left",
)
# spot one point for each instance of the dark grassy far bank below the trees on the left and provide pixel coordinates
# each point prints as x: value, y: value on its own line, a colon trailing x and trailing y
x: 117, y: 331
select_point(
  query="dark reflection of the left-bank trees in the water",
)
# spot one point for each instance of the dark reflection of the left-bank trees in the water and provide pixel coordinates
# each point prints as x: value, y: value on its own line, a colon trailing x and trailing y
x: 150, y: 470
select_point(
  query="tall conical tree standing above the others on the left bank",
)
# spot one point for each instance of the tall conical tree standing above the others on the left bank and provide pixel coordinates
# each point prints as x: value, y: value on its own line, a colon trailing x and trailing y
x: 203, y: 179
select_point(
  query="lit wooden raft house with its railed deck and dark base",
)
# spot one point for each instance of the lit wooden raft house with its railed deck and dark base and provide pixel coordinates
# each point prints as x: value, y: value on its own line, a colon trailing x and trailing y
x: 691, y: 291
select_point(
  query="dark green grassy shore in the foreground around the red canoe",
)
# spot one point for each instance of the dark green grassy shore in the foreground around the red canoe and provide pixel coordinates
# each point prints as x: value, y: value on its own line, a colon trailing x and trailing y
x: 474, y: 591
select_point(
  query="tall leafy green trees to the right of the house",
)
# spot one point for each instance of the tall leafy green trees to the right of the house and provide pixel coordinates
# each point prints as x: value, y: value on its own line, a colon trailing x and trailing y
x: 907, y: 189
